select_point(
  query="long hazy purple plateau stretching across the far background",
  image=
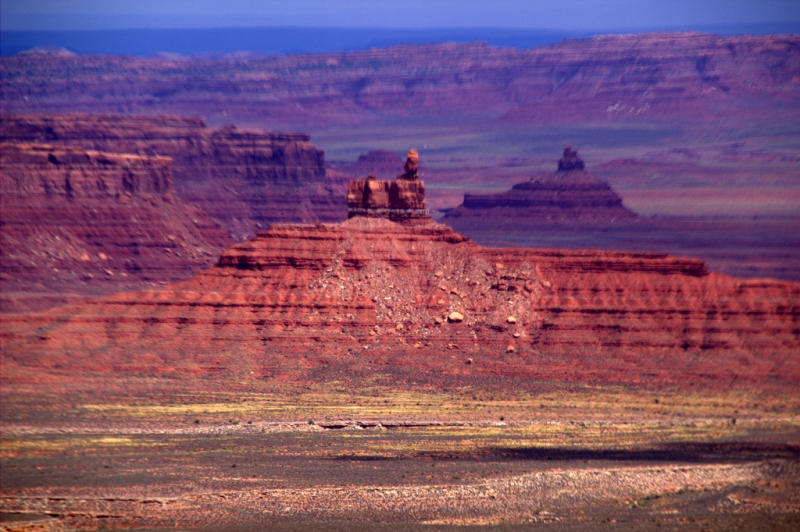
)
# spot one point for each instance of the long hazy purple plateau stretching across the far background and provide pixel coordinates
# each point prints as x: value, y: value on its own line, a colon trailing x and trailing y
x: 667, y: 75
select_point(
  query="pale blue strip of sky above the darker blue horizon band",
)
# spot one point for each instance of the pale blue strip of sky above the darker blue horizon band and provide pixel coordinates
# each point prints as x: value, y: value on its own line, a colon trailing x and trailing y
x: 26, y: 15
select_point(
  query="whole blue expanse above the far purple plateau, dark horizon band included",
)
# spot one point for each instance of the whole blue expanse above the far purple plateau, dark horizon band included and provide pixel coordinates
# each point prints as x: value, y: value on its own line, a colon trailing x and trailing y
x: 189, y: 27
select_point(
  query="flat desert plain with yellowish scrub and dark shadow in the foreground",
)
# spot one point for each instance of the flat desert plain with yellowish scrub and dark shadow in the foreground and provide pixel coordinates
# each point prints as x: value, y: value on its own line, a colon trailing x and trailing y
x: 157, y: 454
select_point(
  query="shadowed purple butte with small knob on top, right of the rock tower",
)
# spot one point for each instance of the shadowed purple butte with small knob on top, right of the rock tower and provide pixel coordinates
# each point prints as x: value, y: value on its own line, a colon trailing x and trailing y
x: 568, y: 196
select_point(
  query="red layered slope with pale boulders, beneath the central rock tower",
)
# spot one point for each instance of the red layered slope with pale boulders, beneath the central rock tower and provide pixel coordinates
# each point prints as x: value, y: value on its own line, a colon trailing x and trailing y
x: 422, y: 303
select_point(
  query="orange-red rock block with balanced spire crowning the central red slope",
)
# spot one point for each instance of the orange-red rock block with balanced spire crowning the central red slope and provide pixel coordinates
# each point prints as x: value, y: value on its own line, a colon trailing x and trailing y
x: 401, y: 200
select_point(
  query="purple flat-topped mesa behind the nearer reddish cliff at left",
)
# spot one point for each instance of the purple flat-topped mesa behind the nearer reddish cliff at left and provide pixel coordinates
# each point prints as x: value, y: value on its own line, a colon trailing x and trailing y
x: 243, y: 179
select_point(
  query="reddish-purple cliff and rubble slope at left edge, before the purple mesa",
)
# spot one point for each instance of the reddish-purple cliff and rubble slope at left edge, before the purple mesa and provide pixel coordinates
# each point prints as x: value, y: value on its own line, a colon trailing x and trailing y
x: 78, y: 222
